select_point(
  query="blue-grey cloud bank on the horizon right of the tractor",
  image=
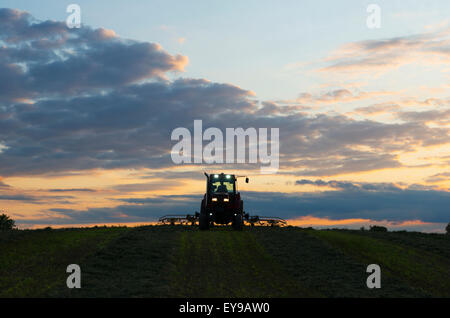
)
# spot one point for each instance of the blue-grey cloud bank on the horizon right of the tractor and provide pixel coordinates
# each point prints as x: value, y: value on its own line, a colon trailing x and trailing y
x: 427, y: 206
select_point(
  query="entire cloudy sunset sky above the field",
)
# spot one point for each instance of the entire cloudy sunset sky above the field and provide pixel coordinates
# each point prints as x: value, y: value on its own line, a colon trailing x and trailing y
x: 363, y: 113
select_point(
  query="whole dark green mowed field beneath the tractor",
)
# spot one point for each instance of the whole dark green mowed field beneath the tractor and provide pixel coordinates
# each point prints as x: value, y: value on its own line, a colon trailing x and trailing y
x: 177, y: 261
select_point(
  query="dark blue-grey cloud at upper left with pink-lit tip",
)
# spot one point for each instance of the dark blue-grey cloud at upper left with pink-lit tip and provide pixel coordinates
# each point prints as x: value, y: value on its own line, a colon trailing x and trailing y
x: 40, y: 58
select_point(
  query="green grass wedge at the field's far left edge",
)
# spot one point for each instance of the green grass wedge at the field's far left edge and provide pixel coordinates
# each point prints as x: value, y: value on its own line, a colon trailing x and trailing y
x: 33, y: 262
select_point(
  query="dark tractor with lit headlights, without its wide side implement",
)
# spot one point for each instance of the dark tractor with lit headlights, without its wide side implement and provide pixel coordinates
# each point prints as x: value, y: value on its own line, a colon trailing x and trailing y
x: 222, y: 203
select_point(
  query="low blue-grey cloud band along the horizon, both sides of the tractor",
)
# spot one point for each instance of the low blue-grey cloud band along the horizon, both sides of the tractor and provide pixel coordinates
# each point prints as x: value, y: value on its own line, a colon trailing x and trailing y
x: 377, y: 205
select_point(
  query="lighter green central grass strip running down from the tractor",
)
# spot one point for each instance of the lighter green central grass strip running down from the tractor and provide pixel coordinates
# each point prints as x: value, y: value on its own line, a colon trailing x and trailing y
x: 225, y: 263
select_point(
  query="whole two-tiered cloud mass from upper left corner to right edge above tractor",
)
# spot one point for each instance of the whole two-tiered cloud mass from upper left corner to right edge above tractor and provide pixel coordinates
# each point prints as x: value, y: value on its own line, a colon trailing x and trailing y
x: 90, y: 109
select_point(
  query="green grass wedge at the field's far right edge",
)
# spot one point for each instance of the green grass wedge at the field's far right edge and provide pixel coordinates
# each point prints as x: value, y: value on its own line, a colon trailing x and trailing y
x: 425, y: 270
